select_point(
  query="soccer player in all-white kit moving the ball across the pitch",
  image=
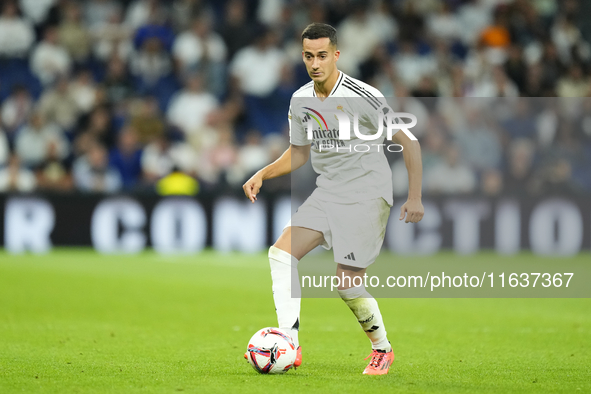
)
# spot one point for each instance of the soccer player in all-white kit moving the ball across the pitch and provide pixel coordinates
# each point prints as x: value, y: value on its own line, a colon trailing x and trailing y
x: 349, y: 209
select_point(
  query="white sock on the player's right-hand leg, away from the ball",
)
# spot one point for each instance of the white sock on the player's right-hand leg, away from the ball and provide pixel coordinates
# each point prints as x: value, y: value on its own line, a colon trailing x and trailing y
x: 366, y: 309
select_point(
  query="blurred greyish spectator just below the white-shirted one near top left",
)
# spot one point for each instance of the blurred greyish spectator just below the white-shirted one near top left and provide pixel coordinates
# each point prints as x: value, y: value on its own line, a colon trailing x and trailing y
x: 59, y: 105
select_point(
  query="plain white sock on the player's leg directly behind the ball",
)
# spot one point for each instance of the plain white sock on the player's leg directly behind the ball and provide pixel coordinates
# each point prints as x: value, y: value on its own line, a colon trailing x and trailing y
x: 284, y: 272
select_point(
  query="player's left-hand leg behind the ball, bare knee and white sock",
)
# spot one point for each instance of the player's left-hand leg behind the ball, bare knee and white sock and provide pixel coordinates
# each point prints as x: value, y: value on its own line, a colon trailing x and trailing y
x: 293, y: 244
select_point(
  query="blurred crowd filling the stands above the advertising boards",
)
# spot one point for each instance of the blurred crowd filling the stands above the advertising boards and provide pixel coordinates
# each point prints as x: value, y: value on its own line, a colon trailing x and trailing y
x: 112, y: 95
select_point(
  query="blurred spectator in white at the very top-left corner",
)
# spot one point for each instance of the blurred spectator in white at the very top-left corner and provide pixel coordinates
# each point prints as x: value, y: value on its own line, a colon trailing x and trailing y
x: 16, y: 33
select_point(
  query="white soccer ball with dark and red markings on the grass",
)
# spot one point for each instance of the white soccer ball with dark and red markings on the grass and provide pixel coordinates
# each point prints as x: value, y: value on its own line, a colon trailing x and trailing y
x: 271, y: 351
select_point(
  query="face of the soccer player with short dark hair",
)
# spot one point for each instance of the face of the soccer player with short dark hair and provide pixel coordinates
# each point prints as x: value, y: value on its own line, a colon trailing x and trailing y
x: 320, y: 58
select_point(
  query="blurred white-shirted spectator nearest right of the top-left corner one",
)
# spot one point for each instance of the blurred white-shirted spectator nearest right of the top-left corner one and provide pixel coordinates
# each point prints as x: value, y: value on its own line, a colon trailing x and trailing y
x: 49, y: 59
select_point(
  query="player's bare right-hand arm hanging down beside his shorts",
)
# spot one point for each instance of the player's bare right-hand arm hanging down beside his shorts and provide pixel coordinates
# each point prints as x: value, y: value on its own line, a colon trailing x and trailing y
x: 411, y: 150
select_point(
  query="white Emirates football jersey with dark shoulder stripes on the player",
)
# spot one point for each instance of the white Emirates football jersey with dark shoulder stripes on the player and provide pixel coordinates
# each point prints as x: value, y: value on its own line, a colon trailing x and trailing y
x: 350, y: 170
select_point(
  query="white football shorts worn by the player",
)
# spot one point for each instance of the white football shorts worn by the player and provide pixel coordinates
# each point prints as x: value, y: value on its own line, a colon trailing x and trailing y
x: 354, y: 231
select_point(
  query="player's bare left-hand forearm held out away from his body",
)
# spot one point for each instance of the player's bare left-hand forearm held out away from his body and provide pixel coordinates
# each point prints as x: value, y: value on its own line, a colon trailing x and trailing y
x: 293, y: 158
